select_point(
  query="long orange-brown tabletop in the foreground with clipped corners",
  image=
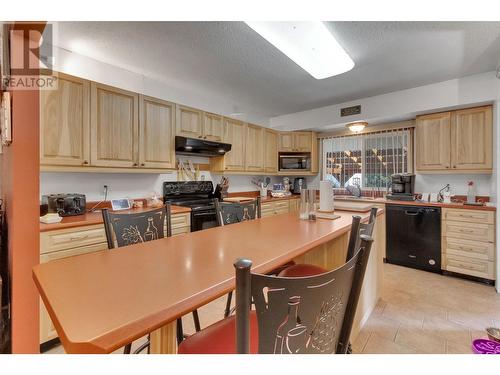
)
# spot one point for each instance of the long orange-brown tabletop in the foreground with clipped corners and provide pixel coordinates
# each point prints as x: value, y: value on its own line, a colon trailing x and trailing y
x: 101, y: 301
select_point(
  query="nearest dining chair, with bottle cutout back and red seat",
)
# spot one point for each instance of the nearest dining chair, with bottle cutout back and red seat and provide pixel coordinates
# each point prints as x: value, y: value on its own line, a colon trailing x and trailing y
x: 308, y: 315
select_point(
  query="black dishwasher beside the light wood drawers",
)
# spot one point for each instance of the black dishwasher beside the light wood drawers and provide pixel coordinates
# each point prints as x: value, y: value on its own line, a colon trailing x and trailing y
x: 414, y: 236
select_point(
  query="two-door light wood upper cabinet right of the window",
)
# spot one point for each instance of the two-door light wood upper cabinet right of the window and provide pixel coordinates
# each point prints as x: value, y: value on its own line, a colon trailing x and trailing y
x: 455, y: 141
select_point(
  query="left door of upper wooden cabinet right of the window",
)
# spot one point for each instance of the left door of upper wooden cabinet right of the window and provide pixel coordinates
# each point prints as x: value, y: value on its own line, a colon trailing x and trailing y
x: 433, y: 141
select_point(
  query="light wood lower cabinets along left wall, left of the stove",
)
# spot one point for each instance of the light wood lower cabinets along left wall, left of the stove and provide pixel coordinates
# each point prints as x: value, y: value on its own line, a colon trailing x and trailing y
x: 64, y: 243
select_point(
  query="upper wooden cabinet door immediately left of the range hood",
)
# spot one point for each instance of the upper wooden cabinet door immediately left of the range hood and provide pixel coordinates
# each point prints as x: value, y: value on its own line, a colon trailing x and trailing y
x: 156, y: 133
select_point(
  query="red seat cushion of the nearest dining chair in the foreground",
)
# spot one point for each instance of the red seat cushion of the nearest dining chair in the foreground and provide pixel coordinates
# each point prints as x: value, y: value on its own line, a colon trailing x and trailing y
x: 220, y: 338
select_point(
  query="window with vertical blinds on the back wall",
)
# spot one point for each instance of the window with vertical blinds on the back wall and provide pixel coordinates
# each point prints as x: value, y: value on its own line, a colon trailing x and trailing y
x: 367, y: 160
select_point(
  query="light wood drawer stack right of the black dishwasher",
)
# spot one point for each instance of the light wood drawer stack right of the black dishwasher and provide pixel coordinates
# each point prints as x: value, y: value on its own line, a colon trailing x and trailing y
x: 468, y: 242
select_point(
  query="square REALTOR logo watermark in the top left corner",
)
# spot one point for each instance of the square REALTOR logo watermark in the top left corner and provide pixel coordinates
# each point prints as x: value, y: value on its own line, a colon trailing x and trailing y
x: 27, y: 51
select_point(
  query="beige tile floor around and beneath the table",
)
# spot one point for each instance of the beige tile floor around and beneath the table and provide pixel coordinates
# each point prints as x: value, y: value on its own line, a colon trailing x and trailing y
x: 419, y: 312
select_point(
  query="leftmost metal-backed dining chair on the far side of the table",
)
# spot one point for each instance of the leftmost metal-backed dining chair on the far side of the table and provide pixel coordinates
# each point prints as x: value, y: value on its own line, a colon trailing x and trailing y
x: 132, y: 228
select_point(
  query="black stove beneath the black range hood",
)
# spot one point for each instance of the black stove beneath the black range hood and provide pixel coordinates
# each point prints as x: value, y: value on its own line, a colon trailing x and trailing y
x: 198, y: 196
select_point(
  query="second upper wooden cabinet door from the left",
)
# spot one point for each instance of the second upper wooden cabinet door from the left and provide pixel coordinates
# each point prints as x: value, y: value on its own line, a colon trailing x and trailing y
x: 114, y: 127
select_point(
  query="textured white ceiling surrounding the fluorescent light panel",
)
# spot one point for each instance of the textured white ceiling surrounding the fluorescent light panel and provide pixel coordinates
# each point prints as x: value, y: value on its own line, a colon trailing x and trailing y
x: 228, y: 59
